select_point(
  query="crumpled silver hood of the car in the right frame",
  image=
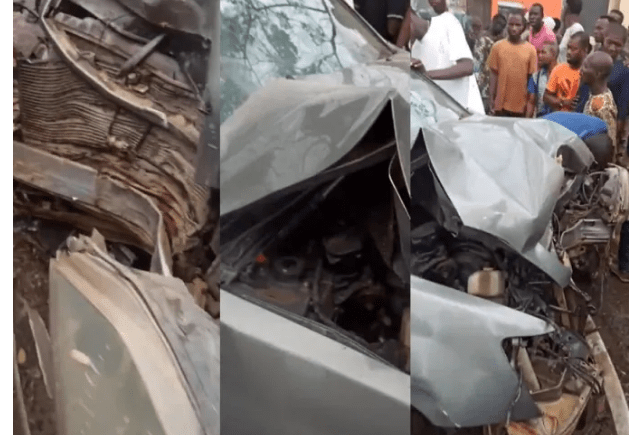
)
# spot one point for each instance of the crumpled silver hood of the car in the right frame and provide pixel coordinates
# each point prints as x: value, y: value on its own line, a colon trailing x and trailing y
x: 502, y: 177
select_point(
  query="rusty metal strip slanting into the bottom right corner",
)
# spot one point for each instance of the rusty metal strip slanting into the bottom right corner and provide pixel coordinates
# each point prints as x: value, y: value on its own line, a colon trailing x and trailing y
x: 612, y: 386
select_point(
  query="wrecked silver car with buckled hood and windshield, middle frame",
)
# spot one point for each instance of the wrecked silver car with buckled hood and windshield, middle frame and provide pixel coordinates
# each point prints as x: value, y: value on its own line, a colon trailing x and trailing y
x: 313, y: 200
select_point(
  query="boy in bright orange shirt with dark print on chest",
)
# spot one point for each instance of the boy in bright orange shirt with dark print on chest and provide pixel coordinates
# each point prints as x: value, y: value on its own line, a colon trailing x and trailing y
x: 563, y: 84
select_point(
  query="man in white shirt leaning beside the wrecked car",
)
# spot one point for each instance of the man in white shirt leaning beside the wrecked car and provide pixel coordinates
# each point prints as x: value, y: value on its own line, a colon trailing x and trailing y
x: 444, y: 56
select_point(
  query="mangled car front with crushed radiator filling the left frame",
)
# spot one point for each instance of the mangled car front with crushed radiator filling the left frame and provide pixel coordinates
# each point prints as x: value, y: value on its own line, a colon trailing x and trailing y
x: 113, y: 110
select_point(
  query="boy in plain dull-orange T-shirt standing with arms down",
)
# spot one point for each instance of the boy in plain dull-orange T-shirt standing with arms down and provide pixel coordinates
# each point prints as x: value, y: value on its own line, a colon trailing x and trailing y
x: 511, y: 61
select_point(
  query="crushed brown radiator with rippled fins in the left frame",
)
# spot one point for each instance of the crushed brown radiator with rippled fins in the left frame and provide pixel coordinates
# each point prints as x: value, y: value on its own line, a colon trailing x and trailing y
x: 143, y: 134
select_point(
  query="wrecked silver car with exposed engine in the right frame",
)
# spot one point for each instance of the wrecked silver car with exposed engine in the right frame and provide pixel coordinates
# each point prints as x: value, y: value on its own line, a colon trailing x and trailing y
x: 502, y: 212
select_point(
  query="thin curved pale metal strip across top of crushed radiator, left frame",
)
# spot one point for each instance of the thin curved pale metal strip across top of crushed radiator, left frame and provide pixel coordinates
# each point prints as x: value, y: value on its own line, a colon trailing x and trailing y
x: 127, y: 99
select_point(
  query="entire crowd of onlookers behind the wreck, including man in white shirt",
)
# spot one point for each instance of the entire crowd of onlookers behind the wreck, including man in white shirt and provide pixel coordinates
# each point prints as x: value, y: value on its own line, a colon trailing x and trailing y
x: 523, y: 64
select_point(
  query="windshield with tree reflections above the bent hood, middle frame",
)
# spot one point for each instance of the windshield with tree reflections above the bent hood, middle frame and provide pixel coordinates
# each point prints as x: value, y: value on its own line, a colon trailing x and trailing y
x: 265, y: 39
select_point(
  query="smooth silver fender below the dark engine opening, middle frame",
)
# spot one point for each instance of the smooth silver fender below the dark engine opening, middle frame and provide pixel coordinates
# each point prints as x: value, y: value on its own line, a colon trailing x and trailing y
x: 286, y: 386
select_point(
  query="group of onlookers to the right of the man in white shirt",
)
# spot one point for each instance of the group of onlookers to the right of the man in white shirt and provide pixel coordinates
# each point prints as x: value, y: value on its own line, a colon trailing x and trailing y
x: 530, y: 65
